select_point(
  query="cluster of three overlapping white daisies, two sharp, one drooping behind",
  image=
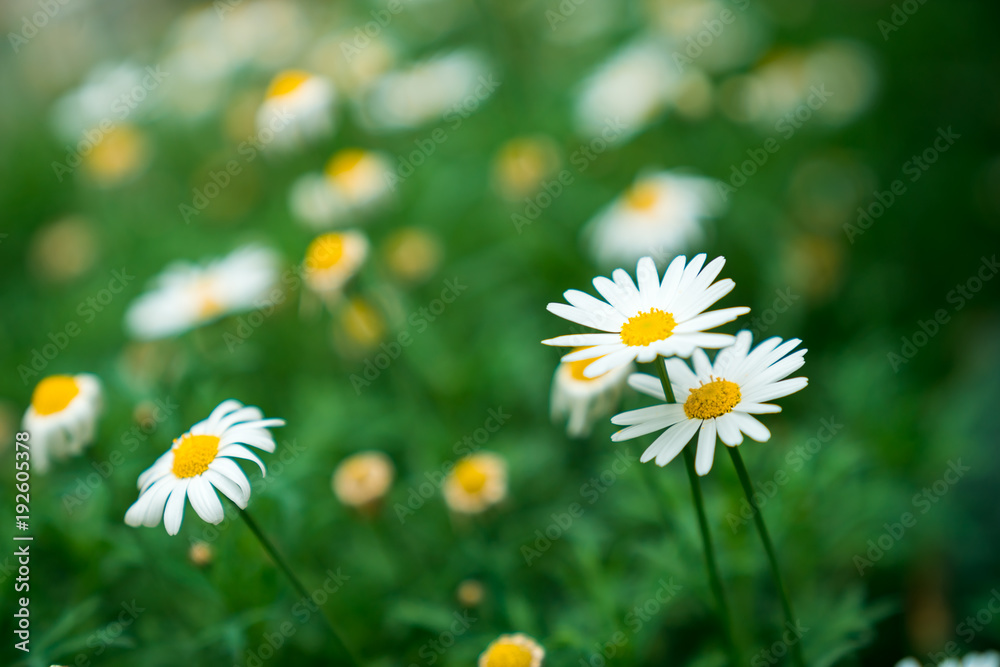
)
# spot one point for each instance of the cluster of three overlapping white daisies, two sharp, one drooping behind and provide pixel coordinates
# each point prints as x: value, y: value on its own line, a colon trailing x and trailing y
x: 650, y: 318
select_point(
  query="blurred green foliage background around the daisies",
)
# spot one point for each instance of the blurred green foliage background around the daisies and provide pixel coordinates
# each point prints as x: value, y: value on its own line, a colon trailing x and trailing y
x: 791, y: 229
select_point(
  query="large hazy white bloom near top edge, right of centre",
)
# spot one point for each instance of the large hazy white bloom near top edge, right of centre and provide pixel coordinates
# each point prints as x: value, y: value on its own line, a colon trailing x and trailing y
x: 633, y: 88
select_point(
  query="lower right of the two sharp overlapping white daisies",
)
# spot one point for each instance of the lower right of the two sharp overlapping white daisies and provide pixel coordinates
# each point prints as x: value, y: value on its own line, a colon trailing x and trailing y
x: 717, y: 399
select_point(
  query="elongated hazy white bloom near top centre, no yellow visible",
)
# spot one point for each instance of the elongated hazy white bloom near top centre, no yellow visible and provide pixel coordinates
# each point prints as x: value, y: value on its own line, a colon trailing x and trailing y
x: 446, y: 87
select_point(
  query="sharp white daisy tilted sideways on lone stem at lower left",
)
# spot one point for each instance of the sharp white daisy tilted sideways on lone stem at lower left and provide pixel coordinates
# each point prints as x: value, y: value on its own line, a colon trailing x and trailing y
x: 201, y: 461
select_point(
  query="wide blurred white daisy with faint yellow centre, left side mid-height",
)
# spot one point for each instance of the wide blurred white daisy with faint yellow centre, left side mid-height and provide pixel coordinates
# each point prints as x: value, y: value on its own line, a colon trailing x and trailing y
x: 187, y: 295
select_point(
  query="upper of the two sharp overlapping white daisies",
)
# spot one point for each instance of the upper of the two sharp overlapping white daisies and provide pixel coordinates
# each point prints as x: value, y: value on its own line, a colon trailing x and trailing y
x: 654, y: 318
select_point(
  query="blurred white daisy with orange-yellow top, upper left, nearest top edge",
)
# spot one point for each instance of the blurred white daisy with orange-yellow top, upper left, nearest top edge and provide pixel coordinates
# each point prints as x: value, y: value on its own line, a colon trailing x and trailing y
x: 297, y: 107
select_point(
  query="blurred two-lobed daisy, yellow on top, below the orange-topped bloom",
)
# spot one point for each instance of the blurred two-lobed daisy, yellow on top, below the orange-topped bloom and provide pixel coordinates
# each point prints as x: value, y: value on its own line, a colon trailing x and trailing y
x: 355, y: 181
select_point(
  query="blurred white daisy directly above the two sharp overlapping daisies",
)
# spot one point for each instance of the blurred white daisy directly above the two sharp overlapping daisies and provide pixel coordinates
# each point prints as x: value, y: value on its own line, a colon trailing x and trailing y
x: 659, y: 215
